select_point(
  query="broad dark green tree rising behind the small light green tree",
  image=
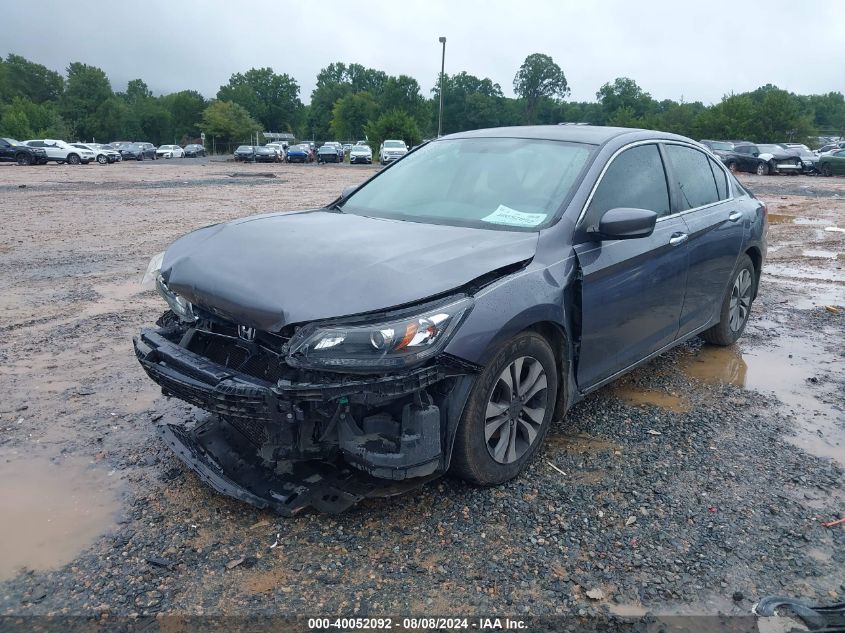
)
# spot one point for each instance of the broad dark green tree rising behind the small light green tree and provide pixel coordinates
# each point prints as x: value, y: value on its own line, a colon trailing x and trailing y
x: 271, y: 99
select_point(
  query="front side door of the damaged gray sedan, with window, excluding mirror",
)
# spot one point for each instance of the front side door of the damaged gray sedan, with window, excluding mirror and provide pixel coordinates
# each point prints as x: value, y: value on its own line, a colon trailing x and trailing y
x: 632, y: 290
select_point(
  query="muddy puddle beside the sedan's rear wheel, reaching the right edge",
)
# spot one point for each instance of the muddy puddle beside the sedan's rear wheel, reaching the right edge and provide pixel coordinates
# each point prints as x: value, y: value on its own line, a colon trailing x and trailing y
x: 799, y: 371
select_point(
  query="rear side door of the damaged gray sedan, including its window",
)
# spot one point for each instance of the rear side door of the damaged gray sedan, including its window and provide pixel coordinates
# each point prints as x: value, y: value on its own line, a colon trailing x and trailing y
x: 715, y: 228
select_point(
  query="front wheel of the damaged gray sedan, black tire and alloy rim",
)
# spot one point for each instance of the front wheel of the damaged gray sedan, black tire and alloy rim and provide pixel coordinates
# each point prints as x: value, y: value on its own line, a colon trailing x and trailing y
x: 494, y: 440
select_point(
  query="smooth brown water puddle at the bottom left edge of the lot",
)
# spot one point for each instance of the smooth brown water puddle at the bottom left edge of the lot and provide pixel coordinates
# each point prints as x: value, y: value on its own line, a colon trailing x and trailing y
x: 52, y: 510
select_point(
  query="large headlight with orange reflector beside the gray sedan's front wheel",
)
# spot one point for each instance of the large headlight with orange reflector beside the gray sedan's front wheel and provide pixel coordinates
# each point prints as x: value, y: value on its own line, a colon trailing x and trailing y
x: 390, y: 344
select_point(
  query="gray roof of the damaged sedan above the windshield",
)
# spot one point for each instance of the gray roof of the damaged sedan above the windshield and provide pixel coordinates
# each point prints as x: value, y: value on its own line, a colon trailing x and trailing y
x: 592, y: 134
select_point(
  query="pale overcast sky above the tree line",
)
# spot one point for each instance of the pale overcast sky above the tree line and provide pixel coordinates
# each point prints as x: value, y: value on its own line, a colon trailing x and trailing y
x: 674, y: 50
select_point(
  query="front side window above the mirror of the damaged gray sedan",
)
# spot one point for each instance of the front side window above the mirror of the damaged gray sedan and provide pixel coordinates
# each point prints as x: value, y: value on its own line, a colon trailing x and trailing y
x: 635, y: 179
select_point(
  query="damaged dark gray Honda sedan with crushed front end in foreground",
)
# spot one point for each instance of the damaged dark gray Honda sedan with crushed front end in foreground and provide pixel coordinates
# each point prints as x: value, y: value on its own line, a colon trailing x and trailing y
x: 441, y: 315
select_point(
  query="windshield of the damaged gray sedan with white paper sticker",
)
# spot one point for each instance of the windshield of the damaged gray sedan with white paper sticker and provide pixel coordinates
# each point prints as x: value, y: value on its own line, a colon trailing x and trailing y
x: 504, y: 183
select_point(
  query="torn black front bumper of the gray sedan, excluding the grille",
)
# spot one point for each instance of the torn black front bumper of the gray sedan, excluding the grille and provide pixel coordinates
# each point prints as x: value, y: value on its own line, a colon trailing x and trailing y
x: 381, y: 428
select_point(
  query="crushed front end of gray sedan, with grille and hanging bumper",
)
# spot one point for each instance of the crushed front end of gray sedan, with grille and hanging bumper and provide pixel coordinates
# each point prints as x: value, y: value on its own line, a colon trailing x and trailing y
x: 287, y: 436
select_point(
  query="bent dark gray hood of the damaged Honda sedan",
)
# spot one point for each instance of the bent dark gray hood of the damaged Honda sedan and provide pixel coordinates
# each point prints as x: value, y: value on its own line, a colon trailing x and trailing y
x: 271, y: 270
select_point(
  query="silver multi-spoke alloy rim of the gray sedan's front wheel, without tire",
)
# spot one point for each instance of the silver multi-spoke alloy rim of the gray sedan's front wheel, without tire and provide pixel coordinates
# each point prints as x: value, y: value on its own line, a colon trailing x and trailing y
x: 516, y: 410
